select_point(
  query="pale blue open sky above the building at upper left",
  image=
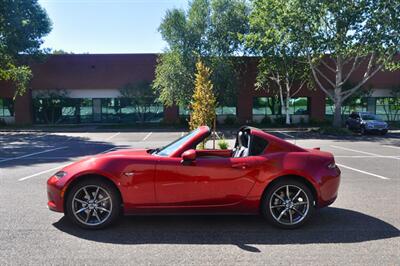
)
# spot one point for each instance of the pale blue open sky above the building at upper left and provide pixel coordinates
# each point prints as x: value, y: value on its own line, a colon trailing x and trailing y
x: 107, y: 26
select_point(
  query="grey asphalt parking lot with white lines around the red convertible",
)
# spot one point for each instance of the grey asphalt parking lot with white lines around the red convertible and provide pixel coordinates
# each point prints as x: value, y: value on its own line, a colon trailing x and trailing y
x: 361, y: 227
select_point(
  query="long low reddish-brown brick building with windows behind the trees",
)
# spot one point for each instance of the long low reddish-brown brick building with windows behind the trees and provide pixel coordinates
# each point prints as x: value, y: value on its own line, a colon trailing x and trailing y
x: 88, y: 87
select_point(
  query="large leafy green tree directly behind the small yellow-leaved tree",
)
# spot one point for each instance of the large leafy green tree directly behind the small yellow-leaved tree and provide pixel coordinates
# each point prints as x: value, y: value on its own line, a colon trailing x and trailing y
x: 210, y: 30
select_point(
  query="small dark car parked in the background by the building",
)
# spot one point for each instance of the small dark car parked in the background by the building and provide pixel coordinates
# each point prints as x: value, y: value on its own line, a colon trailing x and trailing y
x: 364, y: 122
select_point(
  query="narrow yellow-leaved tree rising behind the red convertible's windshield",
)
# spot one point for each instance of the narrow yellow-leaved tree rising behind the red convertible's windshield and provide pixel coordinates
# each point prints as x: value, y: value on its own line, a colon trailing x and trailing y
x: 204, y: 102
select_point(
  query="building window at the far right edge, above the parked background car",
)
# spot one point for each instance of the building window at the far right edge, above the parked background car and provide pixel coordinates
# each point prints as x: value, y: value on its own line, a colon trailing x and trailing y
x: 388, y: 108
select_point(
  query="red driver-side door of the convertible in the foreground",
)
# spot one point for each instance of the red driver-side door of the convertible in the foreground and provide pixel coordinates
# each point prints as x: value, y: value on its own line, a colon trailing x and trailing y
x: 206, y: 182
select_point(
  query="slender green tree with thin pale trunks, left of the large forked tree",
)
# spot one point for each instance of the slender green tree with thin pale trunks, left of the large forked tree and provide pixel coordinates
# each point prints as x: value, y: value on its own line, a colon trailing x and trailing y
x: 282, y: 69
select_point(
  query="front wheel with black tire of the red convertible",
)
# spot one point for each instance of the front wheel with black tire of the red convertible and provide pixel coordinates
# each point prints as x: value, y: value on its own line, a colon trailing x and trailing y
x: 104, y: 209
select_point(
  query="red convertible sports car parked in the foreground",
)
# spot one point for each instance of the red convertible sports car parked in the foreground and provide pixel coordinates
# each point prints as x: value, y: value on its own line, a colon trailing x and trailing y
x: 261, y: 174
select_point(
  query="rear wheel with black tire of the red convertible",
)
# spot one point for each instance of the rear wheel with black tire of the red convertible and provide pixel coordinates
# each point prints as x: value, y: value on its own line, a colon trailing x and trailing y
x: 271, y: 213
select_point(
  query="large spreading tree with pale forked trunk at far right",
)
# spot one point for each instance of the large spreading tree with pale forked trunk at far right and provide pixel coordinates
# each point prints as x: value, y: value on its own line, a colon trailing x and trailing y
x: 342, y: 38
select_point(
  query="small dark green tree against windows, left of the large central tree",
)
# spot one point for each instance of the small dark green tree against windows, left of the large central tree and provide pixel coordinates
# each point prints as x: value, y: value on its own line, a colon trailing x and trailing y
x: 140, y: 96
